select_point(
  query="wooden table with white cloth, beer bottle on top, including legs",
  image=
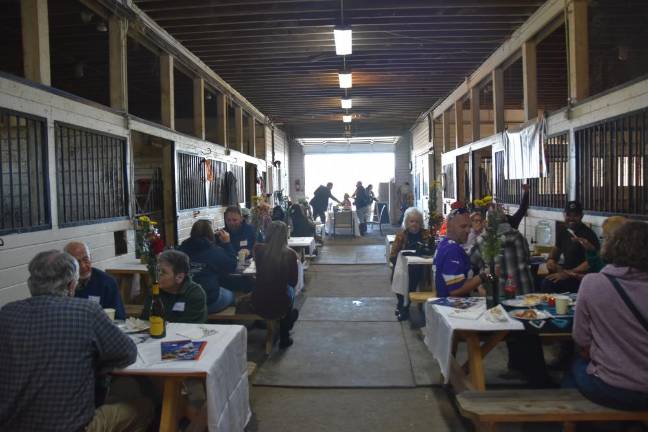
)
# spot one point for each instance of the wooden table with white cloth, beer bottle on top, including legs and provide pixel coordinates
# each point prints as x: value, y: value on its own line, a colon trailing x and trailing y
x: 222, y: 366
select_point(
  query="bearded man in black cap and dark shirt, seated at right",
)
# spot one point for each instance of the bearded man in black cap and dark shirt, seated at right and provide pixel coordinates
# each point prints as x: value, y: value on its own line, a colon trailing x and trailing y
x: 561, y: 277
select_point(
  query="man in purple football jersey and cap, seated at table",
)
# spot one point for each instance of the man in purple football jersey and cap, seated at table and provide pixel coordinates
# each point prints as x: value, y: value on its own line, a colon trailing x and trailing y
x: 451, y: 261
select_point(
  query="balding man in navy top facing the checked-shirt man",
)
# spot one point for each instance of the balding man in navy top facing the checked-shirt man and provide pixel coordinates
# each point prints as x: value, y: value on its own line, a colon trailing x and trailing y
x: 95, y: 284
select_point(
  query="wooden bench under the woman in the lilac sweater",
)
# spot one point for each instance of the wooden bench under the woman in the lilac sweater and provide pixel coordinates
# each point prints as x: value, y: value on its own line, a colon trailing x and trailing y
x: 488, y: 408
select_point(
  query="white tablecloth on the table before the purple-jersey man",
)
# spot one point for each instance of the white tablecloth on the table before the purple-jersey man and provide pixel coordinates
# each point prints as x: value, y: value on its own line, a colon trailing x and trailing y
x: 439, y: 329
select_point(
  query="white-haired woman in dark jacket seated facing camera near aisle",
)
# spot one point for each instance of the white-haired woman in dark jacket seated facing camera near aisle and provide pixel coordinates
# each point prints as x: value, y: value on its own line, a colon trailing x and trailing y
x: 412, y: 234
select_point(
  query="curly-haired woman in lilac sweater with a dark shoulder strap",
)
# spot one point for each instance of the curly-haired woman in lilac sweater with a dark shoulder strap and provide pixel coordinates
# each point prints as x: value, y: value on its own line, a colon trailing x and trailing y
x: 611, y: 323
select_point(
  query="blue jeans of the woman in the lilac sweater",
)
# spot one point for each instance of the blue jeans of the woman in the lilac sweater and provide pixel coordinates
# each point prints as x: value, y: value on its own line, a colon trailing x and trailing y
x: 596, y: 390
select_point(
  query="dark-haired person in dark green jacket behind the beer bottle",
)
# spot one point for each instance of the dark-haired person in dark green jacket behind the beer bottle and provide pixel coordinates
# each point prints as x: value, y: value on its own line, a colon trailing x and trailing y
x: 184, y: 300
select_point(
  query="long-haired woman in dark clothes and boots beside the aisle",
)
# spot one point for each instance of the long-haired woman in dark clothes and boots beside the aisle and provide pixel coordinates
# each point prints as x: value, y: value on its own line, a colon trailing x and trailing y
x: 277, y: 274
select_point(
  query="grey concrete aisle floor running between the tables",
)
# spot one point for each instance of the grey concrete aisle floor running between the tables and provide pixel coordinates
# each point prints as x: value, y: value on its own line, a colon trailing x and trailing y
x: 353, y: 367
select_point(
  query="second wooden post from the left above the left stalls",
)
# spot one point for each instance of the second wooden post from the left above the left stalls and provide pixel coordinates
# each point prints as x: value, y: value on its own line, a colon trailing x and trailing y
x: 117, y: 41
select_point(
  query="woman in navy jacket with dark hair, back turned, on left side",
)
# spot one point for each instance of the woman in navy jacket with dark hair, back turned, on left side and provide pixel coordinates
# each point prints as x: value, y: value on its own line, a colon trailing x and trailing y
x: 210, y: 263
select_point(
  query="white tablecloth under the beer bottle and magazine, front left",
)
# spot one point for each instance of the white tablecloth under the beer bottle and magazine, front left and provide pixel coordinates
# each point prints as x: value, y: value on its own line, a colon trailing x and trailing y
x: 225, y: 362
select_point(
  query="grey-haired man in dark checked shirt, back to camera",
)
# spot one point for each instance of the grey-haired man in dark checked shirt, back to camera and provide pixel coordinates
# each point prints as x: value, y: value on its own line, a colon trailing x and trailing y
x: 53, y: 347
